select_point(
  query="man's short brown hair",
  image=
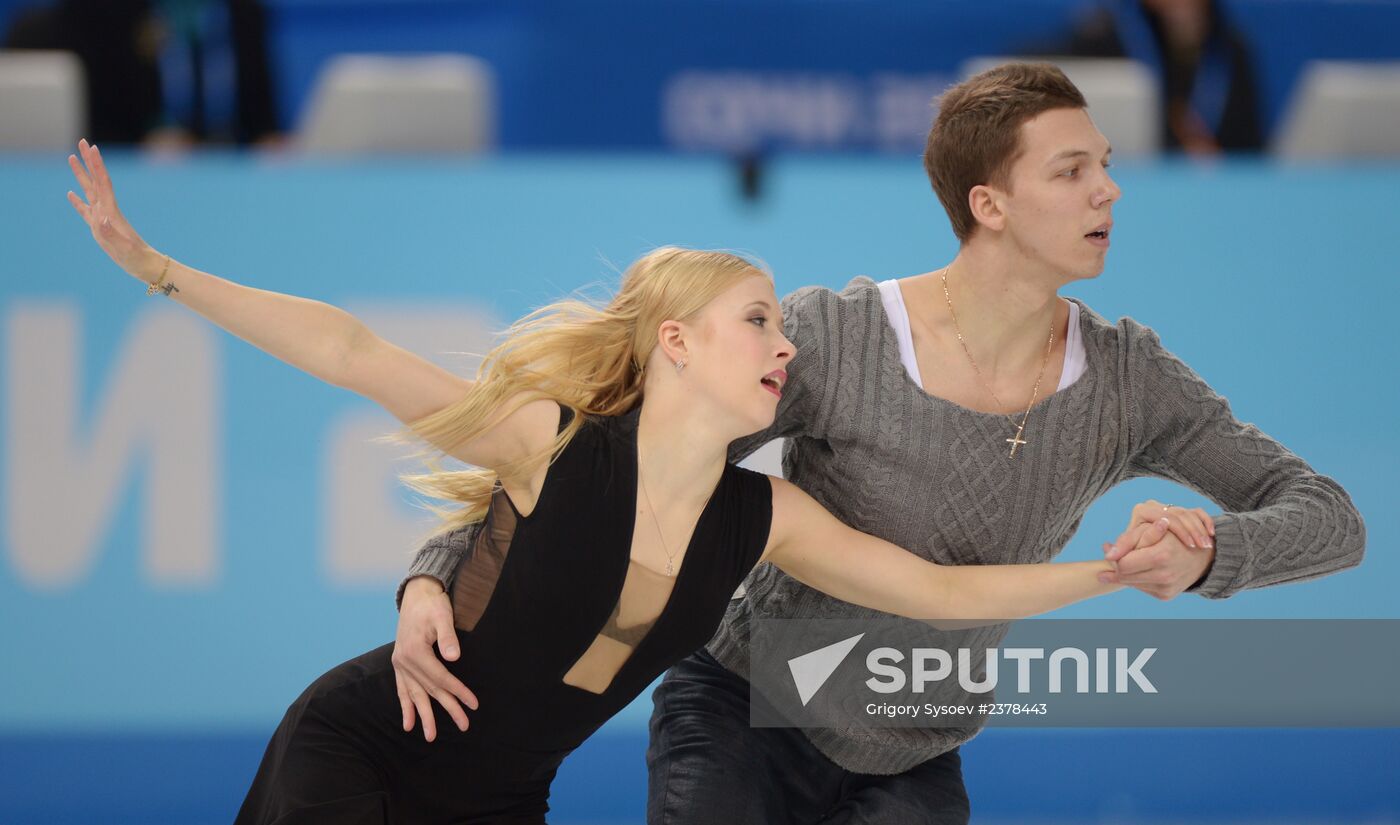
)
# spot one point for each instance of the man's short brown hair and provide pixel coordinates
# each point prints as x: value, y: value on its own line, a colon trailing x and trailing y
x: 978, y: 132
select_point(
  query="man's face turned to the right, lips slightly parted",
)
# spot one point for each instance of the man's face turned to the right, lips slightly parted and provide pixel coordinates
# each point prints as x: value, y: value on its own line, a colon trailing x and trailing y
x: 1060, y: 200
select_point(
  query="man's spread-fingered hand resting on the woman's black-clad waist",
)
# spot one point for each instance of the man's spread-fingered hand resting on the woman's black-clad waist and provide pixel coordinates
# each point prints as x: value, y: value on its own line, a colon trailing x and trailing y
x: 426, y: 618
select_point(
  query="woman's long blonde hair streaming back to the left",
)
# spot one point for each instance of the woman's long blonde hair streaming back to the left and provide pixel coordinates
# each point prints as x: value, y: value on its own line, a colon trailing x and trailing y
x: 589, y: 358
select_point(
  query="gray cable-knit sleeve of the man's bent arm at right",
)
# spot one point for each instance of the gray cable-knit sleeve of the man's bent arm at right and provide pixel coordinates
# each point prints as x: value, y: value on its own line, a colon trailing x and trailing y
x: 1282, y: 520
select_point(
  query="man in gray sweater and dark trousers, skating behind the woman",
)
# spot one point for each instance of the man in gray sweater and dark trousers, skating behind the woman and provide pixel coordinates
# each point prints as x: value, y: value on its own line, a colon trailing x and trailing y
x: 971, y: 415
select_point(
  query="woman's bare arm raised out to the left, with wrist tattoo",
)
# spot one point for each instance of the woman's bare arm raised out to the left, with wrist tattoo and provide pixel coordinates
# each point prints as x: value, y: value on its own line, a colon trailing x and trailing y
x: 320, y: 340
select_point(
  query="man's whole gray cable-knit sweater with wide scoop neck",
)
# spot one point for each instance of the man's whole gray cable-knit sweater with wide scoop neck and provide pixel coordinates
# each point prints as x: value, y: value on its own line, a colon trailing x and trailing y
x: 936, y: 478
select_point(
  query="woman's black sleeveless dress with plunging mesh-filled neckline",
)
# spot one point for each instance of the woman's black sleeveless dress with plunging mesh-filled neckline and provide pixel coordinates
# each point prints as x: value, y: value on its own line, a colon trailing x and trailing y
x: 559, y: 631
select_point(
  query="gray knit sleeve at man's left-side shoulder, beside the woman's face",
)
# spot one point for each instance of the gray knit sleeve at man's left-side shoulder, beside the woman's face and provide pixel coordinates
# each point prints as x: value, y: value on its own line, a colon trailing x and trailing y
x: 810, y: 321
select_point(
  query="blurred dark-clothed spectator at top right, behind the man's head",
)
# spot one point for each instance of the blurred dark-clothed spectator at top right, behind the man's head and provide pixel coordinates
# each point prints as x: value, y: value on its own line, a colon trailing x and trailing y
x: 1206, y: 69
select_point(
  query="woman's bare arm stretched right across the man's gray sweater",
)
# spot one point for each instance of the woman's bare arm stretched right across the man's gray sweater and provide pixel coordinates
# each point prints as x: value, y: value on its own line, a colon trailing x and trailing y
x: 820, y: 551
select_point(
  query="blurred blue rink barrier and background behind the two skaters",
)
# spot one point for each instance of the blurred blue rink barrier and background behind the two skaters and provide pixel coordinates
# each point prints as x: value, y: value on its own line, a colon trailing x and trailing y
x: 192, y: 532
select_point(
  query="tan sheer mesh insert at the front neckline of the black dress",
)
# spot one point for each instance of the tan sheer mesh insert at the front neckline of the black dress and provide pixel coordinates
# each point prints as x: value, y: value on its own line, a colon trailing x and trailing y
x: 645, y: 596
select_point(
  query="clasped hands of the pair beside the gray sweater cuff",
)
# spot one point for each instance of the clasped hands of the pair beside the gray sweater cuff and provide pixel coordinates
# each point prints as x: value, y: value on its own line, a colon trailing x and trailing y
x: 1165, y: 568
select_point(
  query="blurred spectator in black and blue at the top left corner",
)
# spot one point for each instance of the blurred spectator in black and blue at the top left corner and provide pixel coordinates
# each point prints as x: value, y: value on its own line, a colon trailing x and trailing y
x: 163, y: 72
